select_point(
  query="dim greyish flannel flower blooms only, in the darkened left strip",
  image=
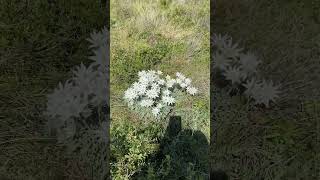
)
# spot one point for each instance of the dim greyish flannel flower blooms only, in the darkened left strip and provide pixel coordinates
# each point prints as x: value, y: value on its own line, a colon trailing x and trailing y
x: 70, y: 101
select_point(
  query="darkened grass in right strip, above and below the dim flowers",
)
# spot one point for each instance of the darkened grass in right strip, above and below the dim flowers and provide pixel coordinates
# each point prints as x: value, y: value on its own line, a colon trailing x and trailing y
x: 280, y: 143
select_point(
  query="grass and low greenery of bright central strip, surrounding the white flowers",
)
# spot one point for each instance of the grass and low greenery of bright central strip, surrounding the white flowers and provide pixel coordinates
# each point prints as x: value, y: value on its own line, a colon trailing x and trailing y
x: 168, y: 36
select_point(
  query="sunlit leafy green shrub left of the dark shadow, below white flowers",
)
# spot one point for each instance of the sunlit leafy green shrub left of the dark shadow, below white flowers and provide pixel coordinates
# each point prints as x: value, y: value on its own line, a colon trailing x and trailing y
x: 130, y: 145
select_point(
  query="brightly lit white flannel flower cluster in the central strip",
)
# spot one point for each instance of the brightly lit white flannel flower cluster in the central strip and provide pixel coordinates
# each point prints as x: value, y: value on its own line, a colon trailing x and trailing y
x: 153, y: 91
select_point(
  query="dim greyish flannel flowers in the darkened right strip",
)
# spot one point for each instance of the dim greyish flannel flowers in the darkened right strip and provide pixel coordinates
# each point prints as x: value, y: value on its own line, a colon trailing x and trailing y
x: 240, y: 68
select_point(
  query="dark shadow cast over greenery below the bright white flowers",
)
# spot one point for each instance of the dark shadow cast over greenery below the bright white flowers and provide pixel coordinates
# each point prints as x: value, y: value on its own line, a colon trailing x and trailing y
x: 182, y: 154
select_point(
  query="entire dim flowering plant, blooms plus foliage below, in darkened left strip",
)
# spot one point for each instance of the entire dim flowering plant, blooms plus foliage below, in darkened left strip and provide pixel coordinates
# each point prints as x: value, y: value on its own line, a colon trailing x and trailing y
x: 77, y: 109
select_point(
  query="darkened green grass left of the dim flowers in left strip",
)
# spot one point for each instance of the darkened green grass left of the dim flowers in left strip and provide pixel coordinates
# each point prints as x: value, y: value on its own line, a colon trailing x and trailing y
x: 39, y: 43
